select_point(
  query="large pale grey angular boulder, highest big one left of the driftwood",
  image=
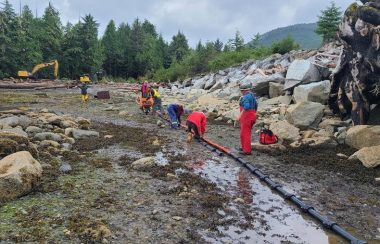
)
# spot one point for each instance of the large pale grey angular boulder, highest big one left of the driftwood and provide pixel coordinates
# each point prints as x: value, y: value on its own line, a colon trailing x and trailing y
x: 301, y: 72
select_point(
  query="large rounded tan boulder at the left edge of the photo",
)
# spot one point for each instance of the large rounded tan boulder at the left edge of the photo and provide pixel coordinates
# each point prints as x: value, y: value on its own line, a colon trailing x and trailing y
x: 19, y: 174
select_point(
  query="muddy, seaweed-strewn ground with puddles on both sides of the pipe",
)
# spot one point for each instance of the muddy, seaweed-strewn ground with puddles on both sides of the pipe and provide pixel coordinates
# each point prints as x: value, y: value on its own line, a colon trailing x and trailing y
x: 171, y: 203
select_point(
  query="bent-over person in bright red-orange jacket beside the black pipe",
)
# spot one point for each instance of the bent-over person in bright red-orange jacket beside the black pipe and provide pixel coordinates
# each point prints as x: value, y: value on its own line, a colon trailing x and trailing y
x: 196, y: 125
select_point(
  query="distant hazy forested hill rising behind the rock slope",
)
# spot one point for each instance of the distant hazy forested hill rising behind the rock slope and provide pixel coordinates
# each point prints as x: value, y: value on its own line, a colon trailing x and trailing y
x: 303, y: 34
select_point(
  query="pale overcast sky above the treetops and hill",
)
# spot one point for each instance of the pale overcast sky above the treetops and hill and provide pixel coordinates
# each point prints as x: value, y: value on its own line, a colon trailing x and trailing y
x: 197, y: 19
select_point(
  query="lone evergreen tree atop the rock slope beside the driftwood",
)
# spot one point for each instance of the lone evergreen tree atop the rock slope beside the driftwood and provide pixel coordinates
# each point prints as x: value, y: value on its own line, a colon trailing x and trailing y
x: 328, y: 22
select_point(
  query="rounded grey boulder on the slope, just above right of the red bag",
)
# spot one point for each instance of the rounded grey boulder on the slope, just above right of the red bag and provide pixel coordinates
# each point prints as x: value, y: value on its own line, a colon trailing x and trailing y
x: 305, y: 114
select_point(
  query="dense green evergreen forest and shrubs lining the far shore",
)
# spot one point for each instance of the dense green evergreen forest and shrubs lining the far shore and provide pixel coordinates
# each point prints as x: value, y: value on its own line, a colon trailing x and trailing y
x: 124, y: 52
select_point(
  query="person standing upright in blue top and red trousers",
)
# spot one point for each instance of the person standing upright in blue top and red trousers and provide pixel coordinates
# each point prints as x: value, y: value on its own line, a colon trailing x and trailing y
x: 247, y: 117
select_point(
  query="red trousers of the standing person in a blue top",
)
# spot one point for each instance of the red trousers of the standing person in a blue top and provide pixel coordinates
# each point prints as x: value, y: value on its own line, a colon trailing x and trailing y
x: 247, y: 121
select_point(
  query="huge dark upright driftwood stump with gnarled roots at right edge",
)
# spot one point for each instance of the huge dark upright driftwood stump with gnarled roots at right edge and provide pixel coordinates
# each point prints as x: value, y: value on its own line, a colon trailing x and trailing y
x: 356, y: 79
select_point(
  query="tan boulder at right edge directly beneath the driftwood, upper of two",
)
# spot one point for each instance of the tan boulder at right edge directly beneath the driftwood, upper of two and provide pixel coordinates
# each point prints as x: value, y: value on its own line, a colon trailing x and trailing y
x: 361, y: 136
